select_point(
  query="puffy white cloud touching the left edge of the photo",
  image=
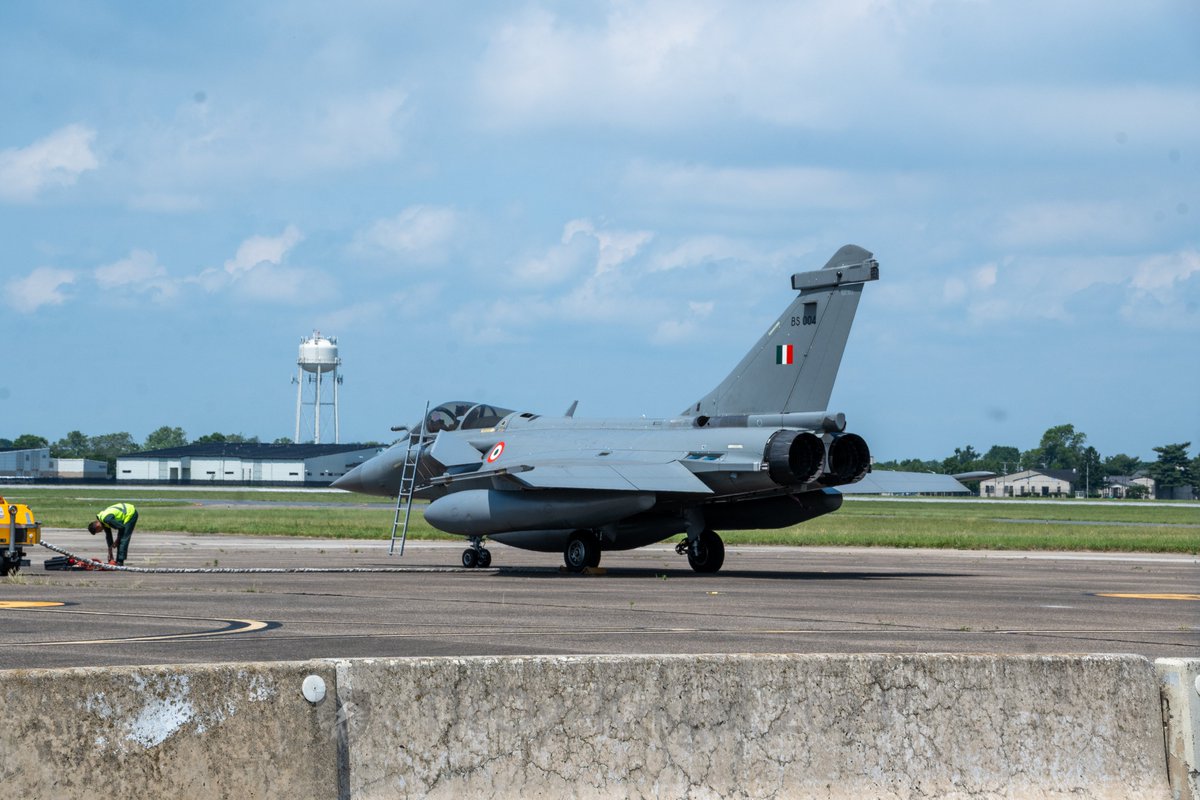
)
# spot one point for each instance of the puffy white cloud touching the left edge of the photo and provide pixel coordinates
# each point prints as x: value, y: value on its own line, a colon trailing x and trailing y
x: 57, y: 160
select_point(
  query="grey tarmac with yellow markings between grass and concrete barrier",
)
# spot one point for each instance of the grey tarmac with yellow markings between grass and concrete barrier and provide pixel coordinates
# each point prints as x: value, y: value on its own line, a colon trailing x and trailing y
x: 766, y: 600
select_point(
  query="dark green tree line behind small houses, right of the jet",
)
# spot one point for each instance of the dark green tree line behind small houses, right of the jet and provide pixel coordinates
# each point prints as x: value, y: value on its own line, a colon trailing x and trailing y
x: 1064, y: 448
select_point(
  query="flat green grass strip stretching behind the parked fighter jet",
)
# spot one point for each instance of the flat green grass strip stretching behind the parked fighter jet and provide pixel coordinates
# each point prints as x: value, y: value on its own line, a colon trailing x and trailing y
x: 964, y: 525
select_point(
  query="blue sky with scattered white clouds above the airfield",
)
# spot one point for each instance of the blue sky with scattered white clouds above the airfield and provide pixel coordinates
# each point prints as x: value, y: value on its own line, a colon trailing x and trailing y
x: 536, y: 203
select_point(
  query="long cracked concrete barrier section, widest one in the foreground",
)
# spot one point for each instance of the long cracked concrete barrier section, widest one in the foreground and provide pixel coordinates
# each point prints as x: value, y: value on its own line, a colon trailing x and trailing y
x: 757, y: 727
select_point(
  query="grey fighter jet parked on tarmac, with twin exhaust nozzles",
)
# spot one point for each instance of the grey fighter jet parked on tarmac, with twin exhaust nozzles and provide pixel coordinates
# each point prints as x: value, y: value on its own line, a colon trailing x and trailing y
x: 761, y: 450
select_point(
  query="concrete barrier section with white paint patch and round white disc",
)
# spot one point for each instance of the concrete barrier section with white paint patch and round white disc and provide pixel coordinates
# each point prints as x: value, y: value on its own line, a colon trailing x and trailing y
x: 233, y: 731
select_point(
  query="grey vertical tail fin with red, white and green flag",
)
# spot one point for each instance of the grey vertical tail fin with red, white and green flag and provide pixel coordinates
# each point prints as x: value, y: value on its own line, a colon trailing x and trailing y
x: 795, y: 364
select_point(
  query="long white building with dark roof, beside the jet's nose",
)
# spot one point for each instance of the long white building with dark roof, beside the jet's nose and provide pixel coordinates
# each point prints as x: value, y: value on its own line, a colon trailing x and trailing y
x: 244, y: 464
